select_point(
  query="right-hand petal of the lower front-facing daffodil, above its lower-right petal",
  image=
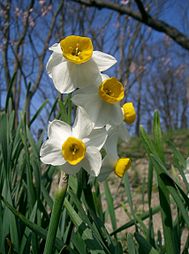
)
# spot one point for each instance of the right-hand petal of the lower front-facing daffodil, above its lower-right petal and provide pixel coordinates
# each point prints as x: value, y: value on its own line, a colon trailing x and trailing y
x: 97, y: 138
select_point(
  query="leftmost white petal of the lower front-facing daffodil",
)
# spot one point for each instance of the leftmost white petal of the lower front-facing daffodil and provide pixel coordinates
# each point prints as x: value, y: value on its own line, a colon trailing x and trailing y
x: 50, y: 153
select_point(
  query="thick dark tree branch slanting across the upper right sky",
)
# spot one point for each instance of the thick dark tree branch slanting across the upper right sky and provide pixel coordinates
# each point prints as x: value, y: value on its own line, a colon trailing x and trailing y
x: 154, y: 23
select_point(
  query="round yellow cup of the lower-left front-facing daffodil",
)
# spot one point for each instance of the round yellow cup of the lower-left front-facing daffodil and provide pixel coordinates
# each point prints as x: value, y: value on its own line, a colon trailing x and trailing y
x: 73, y: 150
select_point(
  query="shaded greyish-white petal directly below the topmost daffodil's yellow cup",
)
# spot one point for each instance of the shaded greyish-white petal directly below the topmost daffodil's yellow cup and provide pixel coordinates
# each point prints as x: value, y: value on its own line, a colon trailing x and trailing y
x: 84, y: 74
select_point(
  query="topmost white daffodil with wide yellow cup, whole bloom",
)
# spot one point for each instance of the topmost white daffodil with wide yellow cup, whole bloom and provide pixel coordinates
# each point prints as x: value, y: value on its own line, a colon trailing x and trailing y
x: 73, y: 63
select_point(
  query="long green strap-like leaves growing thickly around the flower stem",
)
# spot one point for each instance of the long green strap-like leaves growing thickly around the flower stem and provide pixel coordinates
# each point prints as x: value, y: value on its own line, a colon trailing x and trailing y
x: 26, y: 199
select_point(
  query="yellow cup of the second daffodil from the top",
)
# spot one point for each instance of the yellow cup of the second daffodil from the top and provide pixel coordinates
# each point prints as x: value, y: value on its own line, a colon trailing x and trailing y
x: 111, y: 91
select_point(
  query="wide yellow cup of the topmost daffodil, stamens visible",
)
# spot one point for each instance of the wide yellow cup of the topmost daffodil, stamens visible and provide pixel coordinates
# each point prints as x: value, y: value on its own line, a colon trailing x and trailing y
x: 77, y: 49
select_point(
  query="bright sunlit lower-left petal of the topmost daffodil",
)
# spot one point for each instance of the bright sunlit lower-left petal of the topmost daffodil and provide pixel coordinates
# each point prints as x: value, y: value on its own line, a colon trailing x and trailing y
x: 62, y: 79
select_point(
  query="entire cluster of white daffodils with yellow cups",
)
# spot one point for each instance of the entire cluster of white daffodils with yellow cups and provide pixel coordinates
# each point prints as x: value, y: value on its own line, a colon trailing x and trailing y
x: 100, y: 120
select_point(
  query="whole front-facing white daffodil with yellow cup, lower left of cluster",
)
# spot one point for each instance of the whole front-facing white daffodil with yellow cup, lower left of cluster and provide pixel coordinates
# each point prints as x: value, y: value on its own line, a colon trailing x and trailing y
x: 74, y: 147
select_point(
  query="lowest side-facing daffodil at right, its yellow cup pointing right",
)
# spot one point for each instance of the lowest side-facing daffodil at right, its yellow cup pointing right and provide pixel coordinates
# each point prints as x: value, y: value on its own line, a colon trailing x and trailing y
x: 112, y: 163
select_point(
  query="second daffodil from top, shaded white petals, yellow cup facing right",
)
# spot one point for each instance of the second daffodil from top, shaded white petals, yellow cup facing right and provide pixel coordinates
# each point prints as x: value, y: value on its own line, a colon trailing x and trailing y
x: 102, y: 101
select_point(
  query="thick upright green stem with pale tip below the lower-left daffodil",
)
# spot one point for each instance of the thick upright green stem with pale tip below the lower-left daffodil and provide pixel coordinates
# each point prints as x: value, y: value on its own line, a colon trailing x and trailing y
x: 55, y: 215
